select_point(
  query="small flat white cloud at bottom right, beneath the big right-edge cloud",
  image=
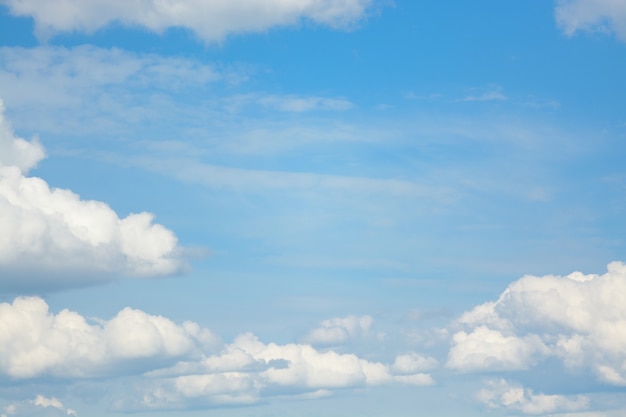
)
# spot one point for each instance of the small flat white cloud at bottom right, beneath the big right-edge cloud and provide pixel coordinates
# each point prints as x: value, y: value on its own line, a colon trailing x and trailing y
x: 503, y: 394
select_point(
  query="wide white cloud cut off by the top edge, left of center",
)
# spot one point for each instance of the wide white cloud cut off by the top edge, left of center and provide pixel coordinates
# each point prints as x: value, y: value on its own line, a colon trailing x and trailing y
x: 211, y: 20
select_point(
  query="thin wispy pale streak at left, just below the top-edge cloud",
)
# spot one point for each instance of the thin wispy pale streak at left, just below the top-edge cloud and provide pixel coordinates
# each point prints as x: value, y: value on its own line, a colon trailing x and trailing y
x: 87, y: 66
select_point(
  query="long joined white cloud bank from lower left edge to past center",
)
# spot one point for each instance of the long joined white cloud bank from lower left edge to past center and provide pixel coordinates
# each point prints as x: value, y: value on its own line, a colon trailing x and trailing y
x: 181, y: 364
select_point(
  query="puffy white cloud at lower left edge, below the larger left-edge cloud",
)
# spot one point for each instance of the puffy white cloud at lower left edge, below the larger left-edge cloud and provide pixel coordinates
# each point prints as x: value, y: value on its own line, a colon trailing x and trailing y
x: 35, y: 342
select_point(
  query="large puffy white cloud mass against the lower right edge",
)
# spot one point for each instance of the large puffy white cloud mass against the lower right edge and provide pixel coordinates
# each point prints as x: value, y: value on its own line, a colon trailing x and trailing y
x: 578, y: 319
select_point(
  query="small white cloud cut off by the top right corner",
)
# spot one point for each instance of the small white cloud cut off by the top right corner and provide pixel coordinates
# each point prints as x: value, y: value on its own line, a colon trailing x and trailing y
x: 592, y: 15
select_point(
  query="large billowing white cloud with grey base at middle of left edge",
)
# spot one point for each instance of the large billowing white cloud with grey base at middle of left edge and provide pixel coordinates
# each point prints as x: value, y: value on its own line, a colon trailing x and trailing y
x: 50, y: 237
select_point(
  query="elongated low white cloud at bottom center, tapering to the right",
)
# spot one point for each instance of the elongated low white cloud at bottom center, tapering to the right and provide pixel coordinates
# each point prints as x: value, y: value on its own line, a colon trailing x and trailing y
x: 248, y: 369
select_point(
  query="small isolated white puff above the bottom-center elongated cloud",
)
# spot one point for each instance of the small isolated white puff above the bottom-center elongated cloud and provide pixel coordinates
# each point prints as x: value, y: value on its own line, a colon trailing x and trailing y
x: 339, y: 330
